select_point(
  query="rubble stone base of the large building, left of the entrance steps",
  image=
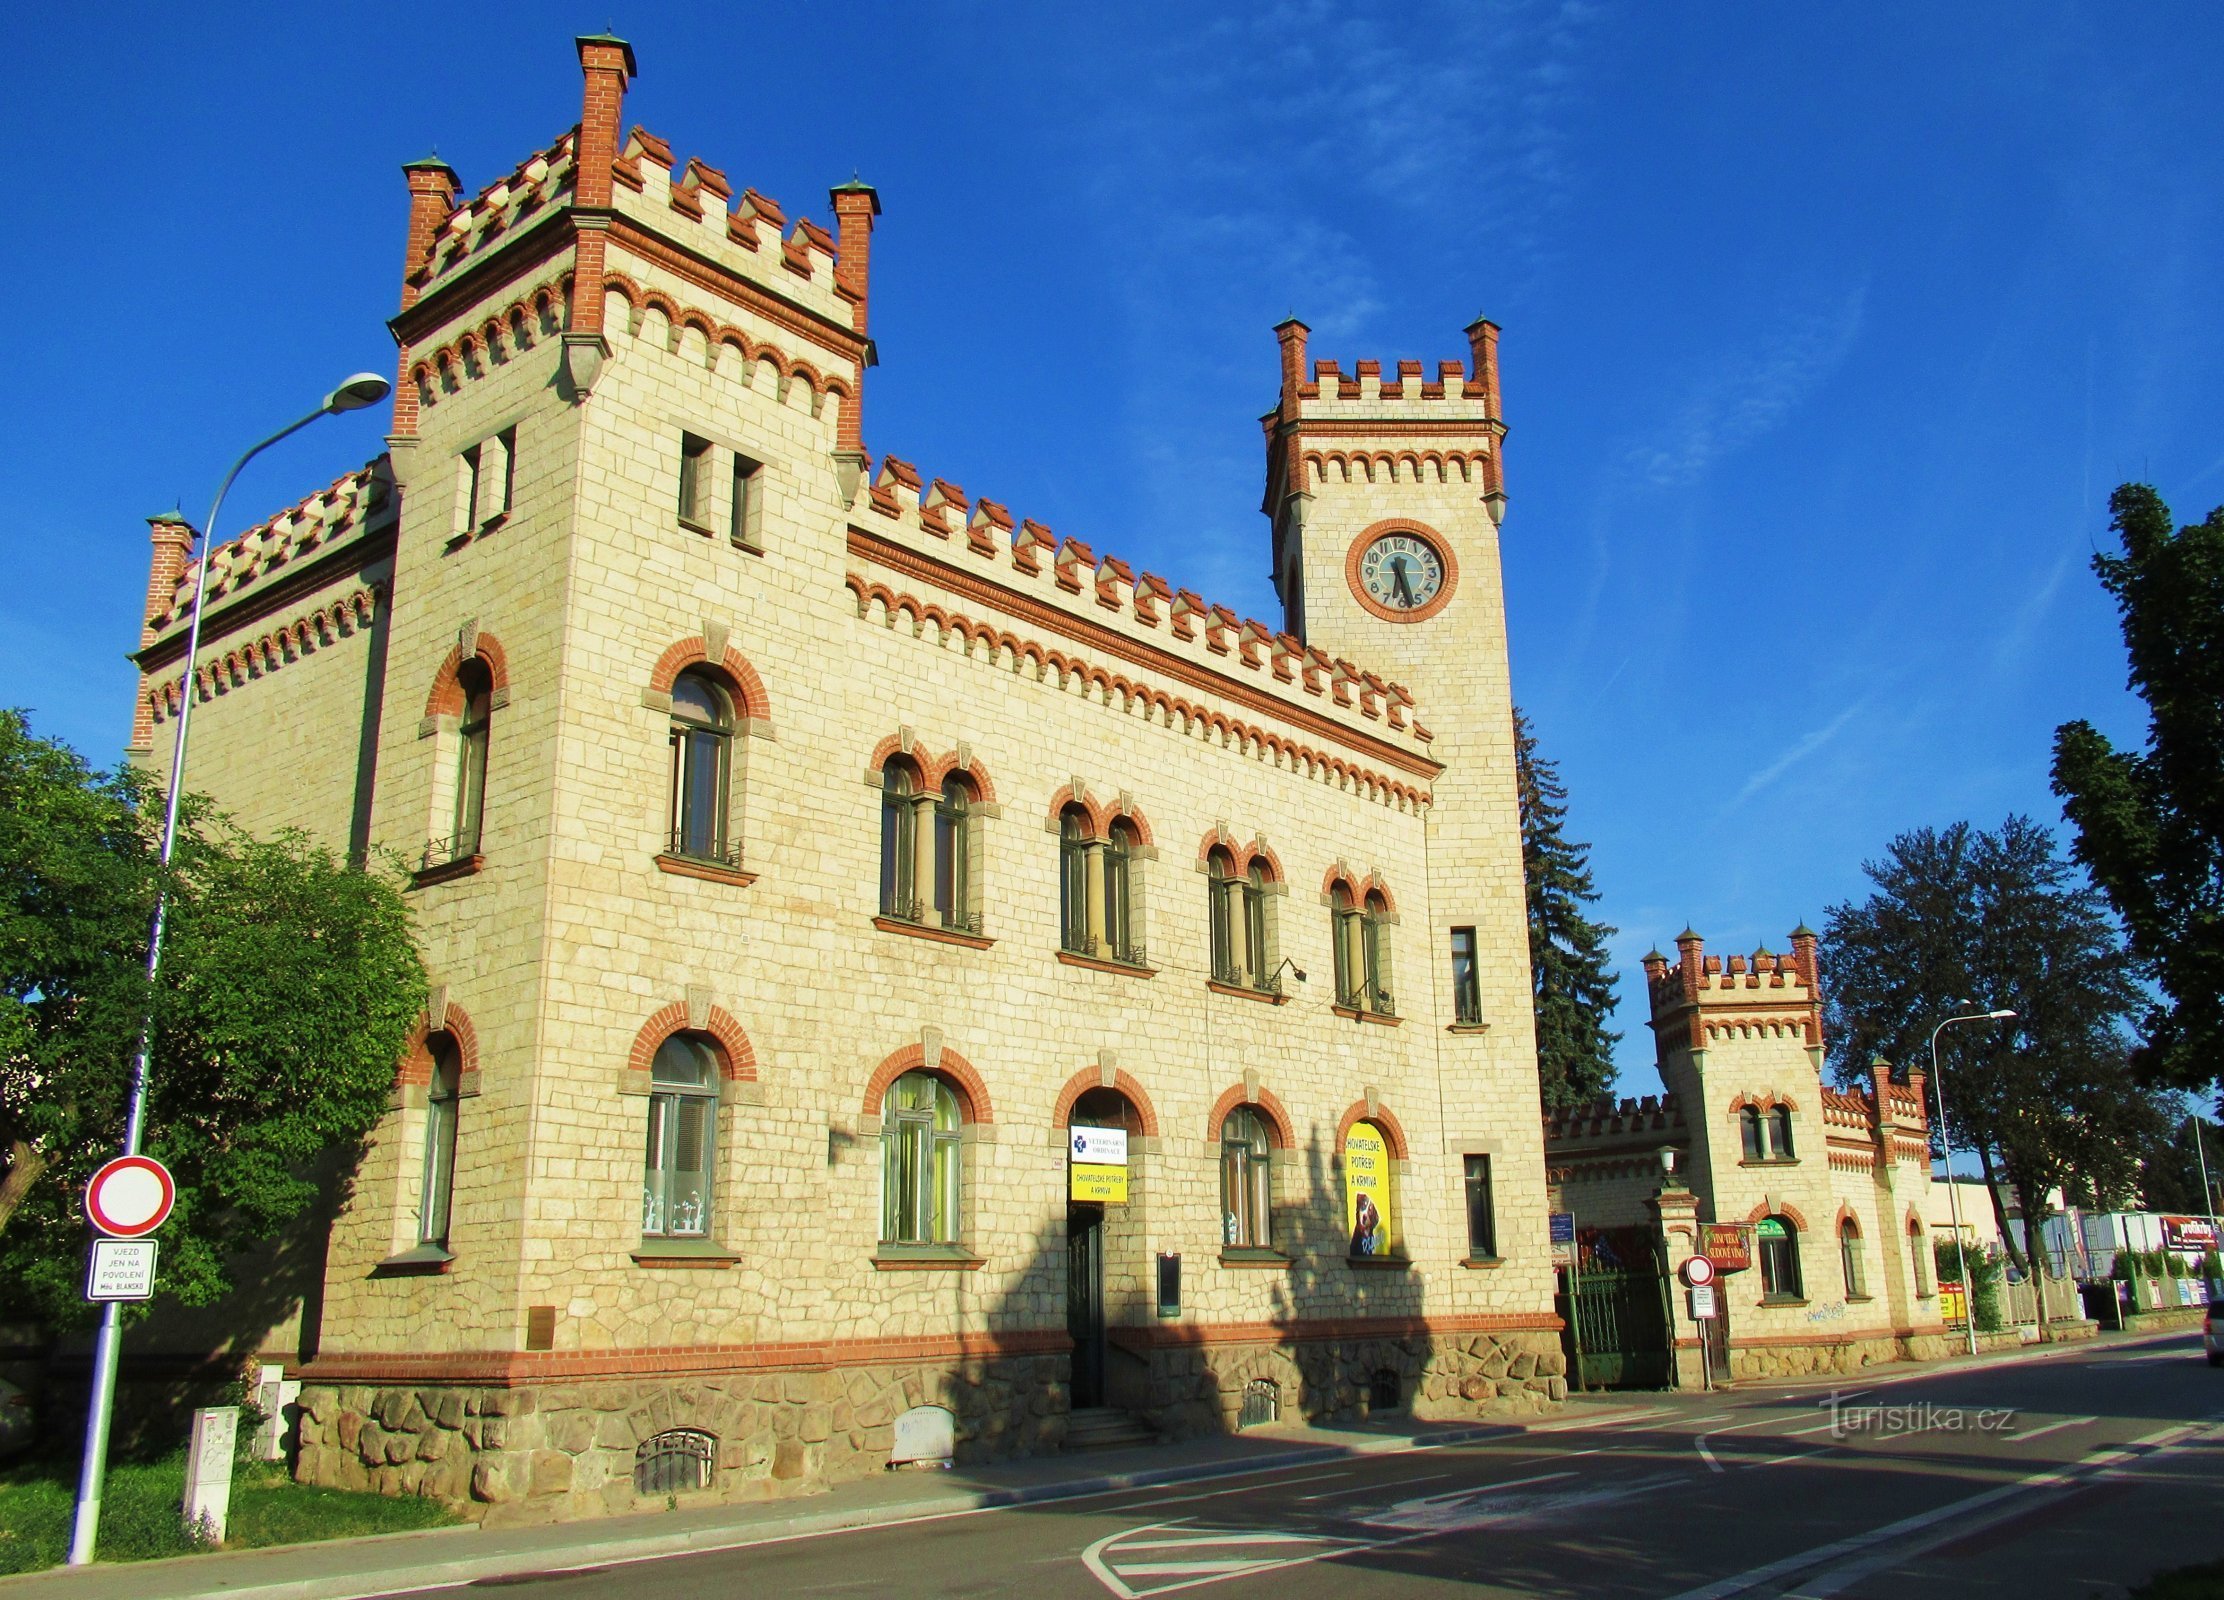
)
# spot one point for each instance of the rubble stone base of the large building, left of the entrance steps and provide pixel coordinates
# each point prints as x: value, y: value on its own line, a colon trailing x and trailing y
x: 553, y: 1452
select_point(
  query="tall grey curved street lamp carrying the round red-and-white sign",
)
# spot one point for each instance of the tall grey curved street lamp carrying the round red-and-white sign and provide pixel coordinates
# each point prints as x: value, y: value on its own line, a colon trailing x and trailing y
x: 366, y: 388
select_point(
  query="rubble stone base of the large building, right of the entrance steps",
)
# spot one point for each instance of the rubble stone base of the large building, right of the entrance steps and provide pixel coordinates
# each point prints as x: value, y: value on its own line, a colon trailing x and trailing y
x: 1200, y: 1390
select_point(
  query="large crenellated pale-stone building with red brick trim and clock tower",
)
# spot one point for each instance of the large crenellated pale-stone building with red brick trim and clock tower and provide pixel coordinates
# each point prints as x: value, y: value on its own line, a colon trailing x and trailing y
x: 806, y: 849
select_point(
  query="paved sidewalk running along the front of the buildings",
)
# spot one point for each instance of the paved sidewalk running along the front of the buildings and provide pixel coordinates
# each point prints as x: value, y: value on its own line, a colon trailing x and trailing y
x: 353, y: 1570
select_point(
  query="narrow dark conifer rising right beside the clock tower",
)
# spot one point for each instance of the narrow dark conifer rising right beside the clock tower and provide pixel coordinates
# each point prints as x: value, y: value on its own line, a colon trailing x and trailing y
x: 1571, y: 974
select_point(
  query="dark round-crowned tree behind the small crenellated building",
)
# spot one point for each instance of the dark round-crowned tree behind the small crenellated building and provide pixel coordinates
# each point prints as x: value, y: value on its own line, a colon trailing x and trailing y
x: 1965, y: 920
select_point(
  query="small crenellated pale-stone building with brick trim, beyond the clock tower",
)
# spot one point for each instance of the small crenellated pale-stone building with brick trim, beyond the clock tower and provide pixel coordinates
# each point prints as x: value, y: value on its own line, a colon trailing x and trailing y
x: 1825, y: 1189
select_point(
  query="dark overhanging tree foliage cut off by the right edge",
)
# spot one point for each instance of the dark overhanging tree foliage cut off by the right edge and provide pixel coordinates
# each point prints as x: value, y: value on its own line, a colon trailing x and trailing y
x: 2152, y: 824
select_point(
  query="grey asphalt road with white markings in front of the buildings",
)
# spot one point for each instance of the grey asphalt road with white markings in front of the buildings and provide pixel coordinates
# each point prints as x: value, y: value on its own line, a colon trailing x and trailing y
x: 2076, y: 1474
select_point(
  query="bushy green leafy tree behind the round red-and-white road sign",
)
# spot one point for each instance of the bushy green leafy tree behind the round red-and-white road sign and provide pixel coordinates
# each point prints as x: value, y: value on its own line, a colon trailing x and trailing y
x: 290, y: 982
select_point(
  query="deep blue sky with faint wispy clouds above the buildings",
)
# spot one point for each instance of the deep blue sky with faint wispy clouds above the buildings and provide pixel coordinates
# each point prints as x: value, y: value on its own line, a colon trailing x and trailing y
x: 1827, y: 333
